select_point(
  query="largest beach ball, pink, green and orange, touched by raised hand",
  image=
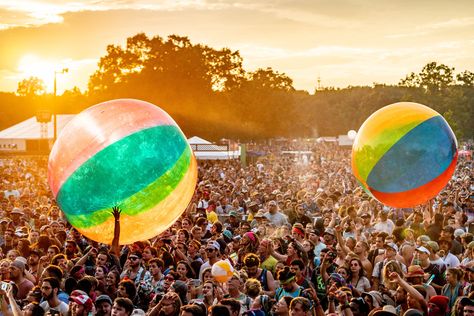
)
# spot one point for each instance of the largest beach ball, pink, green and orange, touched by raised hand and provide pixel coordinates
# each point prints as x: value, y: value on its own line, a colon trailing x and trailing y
x: 126, y: 153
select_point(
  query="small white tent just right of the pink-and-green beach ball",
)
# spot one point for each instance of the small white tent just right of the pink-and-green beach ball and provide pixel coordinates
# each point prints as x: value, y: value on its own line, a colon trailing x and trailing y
x: 205, y: 150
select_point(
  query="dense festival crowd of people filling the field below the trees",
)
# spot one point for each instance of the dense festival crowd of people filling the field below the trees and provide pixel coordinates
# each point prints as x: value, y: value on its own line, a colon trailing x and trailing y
x: 302, y: 236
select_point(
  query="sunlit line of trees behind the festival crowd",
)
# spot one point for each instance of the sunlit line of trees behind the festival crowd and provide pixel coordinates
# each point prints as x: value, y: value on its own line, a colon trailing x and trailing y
x: 209, y: 93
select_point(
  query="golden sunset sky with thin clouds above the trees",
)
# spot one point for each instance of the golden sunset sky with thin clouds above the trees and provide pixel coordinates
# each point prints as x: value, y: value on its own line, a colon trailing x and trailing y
x: 345, y: 42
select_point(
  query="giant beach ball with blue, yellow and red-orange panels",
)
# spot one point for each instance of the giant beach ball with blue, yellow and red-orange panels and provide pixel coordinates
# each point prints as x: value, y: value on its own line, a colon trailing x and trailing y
x: 404, y: 154
